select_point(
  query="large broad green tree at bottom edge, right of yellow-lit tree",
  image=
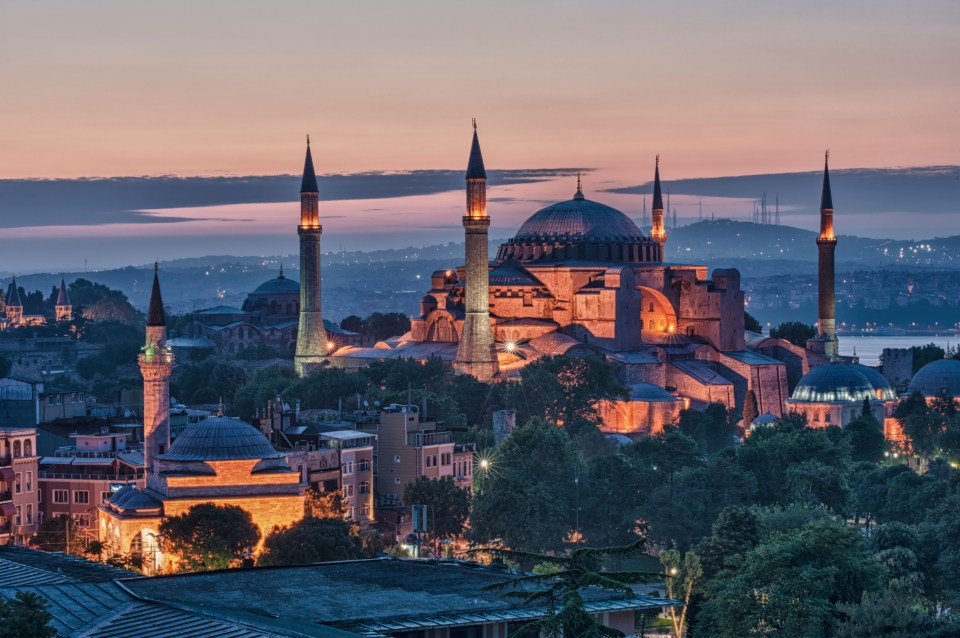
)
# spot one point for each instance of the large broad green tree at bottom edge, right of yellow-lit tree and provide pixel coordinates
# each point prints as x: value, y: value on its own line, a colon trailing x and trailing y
x: 791, y: 584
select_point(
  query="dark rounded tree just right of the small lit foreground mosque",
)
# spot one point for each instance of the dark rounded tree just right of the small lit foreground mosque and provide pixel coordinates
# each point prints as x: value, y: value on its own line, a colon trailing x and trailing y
x: 311, y: 540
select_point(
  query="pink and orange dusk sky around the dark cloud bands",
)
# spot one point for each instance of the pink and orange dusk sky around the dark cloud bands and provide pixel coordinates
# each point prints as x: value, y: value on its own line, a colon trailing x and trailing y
x: 216, y: 89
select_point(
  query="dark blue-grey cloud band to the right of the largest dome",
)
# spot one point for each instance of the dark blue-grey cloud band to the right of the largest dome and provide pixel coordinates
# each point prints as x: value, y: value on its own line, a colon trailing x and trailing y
x: 930, y: 189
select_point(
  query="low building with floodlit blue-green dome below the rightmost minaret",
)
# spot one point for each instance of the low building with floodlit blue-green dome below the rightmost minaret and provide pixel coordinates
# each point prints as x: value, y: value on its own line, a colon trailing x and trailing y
x: 833, y: 394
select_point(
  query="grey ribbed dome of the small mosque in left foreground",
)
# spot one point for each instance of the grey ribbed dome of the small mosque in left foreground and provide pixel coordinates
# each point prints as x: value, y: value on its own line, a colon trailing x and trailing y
x: 220, y: 438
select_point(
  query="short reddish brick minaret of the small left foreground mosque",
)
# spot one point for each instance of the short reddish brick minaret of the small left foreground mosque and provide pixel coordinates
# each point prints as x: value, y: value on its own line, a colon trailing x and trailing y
x: 156, y: 366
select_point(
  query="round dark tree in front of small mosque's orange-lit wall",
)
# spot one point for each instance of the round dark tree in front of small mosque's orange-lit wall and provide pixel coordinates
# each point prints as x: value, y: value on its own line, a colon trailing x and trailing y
x: 210, y: 536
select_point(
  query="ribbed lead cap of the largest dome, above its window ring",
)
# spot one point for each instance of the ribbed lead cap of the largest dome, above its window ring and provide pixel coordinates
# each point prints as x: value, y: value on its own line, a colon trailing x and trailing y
x: 582, y: 219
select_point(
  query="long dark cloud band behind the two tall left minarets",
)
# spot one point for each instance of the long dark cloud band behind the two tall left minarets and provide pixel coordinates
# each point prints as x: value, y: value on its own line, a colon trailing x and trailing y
x: 95, y: 201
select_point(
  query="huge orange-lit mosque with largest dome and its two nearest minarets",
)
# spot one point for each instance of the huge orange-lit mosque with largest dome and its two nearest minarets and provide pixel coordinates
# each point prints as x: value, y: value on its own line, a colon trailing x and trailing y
x: 579, y: 277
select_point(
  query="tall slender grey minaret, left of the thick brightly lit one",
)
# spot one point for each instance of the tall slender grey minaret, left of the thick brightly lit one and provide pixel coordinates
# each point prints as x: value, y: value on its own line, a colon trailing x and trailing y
x: 311, y: 337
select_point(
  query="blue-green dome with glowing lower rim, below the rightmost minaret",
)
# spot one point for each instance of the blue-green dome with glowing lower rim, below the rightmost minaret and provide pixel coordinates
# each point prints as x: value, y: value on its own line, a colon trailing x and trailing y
x: 841, y: 383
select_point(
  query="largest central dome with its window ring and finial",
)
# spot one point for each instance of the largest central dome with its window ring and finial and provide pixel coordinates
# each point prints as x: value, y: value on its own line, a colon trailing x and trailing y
x: 580, y: 230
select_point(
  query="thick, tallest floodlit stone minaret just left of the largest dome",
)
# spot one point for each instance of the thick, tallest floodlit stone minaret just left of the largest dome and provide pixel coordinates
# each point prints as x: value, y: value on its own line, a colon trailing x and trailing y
x: 476, y: 355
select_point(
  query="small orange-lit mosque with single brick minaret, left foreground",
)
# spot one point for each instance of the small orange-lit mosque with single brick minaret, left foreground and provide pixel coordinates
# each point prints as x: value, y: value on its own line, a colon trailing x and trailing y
x: 219, y: 460
